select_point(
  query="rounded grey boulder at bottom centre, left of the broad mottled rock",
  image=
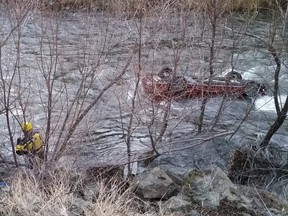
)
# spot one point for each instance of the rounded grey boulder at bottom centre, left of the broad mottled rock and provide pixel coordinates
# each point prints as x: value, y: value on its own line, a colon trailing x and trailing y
x: 155, y: 184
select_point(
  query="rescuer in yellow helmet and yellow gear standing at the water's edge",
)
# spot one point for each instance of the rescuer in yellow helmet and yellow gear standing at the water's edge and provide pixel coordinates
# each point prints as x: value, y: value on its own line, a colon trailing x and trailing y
x: 31, y: 145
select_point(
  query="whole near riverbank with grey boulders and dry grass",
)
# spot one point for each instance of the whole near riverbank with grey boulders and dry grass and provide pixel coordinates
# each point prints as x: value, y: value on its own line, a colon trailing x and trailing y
x: 105, y: 191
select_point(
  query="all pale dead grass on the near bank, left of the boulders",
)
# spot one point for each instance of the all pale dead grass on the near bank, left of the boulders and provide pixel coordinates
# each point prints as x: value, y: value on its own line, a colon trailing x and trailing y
x: 53, y: 195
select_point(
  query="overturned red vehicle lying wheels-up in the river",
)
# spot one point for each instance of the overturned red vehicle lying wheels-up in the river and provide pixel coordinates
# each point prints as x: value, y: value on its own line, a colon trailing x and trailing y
x: 166, y: 86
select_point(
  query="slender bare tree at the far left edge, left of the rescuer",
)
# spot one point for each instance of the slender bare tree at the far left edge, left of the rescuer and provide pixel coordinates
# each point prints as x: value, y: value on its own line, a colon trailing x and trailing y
x: 17, y: 12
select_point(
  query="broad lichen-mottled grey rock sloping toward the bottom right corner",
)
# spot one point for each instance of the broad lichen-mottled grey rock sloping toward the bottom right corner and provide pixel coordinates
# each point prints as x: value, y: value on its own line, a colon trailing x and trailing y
x: 213, y: 191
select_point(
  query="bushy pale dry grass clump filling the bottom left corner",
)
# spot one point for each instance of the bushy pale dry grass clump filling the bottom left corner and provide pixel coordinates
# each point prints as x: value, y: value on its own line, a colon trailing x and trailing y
x: 29, y: 197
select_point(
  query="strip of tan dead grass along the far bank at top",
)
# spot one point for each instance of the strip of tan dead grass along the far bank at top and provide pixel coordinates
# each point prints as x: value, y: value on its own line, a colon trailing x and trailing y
x: 129, y: 6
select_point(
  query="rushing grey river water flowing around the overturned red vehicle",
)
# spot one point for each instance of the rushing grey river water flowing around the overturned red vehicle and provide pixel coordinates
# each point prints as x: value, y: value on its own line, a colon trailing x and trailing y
x: 97, y: 46
